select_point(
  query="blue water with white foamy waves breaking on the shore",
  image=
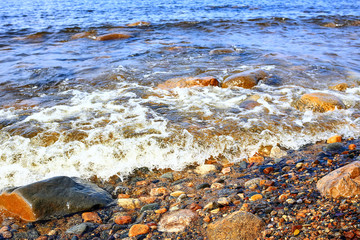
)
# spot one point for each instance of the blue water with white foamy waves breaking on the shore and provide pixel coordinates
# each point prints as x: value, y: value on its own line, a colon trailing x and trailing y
x: 81, y: 107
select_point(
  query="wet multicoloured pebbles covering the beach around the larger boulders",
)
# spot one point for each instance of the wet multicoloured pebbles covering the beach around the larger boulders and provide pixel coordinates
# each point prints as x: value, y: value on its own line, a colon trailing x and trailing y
x: 284, y: 196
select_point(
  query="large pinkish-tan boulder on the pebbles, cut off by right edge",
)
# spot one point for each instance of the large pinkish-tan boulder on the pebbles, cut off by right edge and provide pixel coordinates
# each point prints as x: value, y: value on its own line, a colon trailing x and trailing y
x: 342, y: 182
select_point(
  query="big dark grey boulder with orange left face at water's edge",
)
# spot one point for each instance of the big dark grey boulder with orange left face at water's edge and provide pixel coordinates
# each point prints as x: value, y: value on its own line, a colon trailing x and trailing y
x: 53, y: 197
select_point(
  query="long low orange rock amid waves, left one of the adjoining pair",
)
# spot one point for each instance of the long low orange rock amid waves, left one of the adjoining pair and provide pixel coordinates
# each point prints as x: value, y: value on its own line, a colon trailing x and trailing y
x: 189, y: 82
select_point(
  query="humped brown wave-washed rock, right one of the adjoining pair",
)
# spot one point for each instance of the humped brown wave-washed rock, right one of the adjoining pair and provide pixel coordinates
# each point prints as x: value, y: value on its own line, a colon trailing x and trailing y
x: 247, y: 79
